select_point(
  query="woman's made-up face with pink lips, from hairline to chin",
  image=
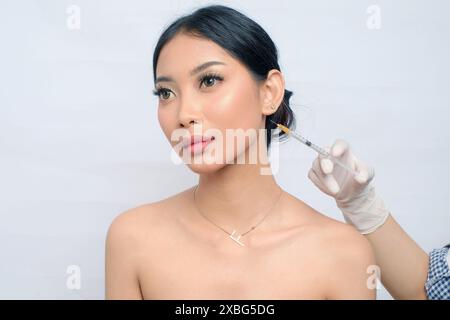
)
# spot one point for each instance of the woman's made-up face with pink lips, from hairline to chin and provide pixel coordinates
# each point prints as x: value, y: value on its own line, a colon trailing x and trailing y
x: 191, y: 103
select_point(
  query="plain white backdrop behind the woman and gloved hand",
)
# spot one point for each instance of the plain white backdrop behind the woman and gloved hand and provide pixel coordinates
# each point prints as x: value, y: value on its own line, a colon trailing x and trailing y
x: 80, y: 141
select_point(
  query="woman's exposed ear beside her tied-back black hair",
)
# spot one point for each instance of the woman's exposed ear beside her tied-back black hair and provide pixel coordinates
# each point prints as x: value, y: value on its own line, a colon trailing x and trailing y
x: 272, y: 92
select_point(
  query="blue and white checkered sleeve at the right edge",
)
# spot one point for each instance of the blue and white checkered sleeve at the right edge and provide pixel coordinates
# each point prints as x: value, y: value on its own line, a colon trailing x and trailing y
x: 438, y: 280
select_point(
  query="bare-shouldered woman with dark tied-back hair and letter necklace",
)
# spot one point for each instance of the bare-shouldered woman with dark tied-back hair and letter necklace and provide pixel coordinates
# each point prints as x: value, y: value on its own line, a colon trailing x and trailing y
x: 237, y: 234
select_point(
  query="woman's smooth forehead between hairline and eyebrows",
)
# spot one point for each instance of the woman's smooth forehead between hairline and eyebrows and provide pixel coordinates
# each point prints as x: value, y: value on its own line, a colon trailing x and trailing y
x: 184, y: 52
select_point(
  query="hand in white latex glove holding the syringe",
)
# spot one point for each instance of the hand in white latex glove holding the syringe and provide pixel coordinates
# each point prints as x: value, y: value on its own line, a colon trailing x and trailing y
x: 355, y: 196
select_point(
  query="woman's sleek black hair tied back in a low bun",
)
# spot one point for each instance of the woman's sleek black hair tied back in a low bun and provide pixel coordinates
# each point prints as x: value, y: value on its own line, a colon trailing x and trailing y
x: 242, y: 38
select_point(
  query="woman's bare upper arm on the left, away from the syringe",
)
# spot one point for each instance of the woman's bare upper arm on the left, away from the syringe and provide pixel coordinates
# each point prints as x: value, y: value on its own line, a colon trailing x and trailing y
x: 121, y: 256
